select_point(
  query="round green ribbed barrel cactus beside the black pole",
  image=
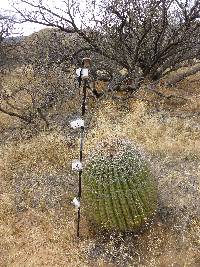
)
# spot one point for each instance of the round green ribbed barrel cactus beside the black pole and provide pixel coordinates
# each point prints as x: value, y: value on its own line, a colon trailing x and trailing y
x: 119, y: 189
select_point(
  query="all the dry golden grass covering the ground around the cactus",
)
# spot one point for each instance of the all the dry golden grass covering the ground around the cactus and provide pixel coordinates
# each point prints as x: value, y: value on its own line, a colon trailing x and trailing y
x: 37, y: 221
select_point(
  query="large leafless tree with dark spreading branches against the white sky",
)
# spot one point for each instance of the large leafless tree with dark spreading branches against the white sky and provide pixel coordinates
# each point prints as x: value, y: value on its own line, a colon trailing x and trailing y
x: 146, y: 38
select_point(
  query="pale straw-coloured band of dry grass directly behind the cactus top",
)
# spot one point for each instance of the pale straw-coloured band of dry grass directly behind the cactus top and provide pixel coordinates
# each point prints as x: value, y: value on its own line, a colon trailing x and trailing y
x: 157, y: 133
